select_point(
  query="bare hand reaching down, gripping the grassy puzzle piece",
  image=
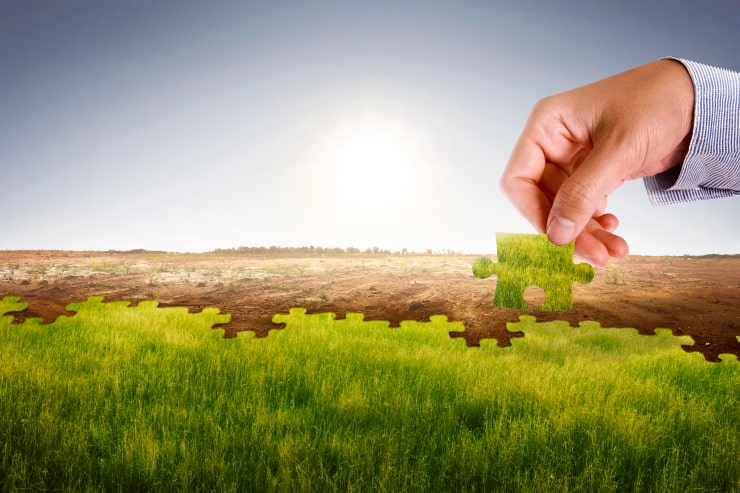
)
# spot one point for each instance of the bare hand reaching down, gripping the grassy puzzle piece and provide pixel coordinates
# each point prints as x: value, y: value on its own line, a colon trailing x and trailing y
x: 579, y: 146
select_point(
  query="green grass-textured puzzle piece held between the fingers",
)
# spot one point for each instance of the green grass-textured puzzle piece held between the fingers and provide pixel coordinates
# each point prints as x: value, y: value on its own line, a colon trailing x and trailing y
x: 531, y: 259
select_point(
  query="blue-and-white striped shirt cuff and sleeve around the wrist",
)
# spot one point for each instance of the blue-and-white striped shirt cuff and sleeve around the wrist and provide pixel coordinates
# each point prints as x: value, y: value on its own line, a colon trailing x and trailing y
x: 711, y: 168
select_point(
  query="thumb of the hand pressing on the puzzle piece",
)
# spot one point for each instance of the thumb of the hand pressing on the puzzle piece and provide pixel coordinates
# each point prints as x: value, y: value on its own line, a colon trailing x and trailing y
x: 581, y: 194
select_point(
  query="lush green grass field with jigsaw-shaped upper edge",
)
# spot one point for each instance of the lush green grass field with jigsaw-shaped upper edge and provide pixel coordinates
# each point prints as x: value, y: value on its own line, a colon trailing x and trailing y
x: 154, y: 399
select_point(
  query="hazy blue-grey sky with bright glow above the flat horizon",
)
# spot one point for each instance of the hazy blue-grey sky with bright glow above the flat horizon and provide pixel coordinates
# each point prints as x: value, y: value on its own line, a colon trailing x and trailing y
x: 190, y: 126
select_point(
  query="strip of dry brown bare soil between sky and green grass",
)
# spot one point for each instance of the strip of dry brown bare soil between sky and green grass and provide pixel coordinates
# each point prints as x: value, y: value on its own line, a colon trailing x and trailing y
x: 695, y: 296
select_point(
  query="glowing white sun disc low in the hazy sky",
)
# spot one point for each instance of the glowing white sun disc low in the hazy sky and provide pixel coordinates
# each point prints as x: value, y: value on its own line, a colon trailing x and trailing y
x: 373, y: 174
